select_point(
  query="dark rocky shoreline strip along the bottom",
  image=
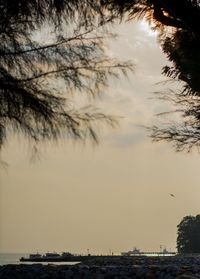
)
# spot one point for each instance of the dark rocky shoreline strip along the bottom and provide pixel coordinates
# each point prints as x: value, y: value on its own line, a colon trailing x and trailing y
x: 109, y: 268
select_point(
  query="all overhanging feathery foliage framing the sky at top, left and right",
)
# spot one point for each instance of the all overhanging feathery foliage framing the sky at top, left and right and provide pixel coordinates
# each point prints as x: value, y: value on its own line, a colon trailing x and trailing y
x: 39, y: 77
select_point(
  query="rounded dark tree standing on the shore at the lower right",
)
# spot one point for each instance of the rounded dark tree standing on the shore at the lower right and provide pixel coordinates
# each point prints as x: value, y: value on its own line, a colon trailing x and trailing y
x: 188, y: 238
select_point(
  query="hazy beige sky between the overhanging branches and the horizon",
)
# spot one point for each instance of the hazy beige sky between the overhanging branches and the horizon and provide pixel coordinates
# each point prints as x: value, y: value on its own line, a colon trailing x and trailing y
x: 107, y: 198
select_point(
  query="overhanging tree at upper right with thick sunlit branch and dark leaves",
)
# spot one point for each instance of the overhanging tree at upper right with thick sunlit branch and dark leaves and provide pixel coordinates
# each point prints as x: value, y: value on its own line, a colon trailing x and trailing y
x: 181, y: 44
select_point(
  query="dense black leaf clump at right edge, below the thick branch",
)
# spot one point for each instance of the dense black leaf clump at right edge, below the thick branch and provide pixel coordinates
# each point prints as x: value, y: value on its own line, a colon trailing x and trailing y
x: 183, y: 50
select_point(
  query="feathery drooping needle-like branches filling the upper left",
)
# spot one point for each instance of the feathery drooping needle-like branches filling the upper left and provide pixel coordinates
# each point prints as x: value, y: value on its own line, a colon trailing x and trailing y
x: 39, y: 72
